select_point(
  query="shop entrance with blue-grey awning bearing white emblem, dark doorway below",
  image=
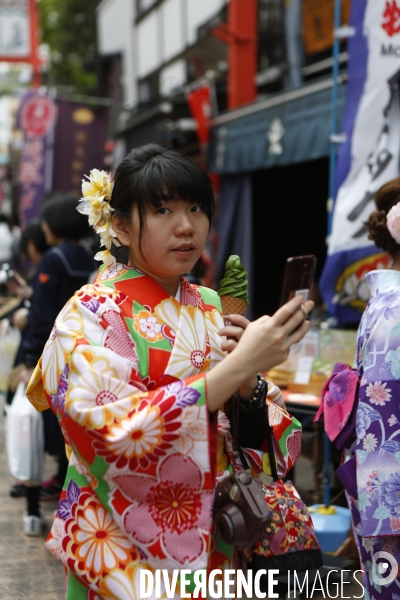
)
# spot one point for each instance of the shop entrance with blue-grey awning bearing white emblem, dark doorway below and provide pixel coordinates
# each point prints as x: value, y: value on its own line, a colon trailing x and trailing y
x: 272, y: 157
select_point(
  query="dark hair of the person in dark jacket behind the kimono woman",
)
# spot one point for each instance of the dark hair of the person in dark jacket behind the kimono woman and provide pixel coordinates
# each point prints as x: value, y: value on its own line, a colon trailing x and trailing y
x: 63, y: 219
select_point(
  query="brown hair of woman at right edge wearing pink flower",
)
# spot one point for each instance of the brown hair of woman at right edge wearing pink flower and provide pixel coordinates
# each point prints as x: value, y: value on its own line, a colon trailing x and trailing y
x: 386, y: 197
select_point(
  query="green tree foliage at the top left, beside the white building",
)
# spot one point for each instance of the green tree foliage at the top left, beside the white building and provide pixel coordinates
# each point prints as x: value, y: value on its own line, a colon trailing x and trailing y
x: 69, y: 29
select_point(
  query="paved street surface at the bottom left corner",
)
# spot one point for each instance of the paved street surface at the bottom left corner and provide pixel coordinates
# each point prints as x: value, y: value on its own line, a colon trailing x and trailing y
x: 27, y: 570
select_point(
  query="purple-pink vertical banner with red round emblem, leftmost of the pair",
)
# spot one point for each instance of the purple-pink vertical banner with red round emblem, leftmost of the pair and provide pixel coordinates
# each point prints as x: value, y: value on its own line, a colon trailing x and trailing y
x: 36, y: 118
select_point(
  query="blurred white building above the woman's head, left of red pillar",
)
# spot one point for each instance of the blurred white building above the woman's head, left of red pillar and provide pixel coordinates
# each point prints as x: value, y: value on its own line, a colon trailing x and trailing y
x: 150, y: 52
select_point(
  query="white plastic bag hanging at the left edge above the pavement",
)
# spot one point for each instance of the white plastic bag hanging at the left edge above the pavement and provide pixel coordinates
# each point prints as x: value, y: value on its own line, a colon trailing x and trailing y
x: 25, y: 439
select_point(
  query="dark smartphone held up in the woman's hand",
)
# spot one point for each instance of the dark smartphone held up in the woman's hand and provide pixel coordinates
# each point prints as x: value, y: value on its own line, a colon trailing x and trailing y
x: 298, y: 277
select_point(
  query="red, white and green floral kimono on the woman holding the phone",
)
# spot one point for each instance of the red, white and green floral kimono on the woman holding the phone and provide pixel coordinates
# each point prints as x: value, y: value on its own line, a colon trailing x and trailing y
x: 124, y: 371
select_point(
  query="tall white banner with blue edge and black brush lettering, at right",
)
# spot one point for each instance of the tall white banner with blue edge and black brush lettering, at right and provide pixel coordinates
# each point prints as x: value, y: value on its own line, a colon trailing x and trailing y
x: 369, y: 158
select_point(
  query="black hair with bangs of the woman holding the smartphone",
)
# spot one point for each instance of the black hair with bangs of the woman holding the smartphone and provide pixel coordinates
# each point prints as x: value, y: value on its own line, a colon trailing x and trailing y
x: 153, y: 173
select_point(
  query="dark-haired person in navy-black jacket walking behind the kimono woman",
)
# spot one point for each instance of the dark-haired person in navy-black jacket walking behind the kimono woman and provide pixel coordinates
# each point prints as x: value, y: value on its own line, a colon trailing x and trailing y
x: 63, y: 269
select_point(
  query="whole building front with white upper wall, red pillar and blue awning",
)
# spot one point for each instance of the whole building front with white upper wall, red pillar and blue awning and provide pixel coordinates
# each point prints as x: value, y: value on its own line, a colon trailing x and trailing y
x: 271, y: 153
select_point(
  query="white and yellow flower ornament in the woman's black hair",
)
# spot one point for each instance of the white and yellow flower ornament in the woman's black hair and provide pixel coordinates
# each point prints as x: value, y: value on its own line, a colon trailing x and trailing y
x: 96, y: 204
